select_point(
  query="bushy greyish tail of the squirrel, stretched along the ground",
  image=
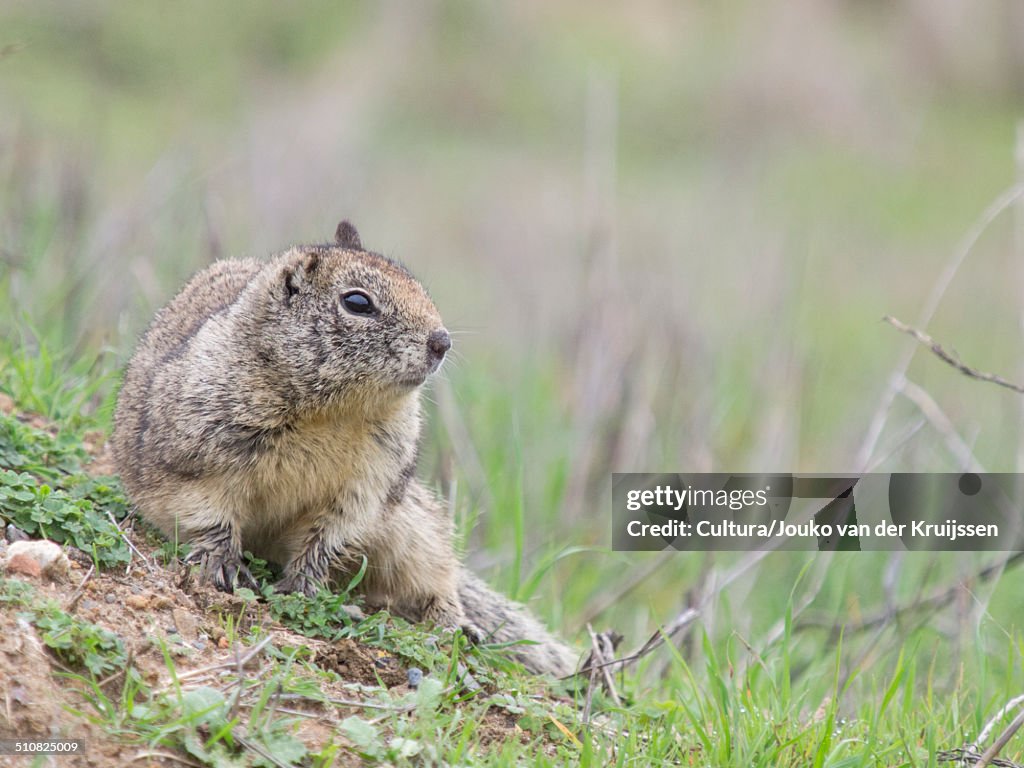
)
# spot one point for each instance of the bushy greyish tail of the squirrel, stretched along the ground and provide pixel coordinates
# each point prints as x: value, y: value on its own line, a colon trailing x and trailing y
x: 503, y: 621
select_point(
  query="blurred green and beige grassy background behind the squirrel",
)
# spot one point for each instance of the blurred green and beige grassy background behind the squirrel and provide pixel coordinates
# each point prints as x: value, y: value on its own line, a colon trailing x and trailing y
x: 664, y: 234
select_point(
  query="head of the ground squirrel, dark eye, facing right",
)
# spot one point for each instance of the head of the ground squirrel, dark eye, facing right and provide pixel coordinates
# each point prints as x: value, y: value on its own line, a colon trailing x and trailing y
x: 350, y: 322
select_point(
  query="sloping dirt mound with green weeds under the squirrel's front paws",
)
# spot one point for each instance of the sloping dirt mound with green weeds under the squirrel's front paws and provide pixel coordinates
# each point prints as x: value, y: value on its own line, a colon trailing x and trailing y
x: 84, y: 650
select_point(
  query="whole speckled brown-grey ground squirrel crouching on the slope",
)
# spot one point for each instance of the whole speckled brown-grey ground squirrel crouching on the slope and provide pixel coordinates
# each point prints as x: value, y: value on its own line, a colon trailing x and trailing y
x: 275, y: 407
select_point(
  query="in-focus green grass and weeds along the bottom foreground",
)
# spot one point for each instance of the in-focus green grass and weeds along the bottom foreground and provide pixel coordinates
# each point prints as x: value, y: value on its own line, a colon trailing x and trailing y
x: 708, y: 714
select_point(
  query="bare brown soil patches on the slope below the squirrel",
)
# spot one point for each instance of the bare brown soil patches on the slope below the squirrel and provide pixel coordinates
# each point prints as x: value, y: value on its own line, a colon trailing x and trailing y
x: 148, y: 604
